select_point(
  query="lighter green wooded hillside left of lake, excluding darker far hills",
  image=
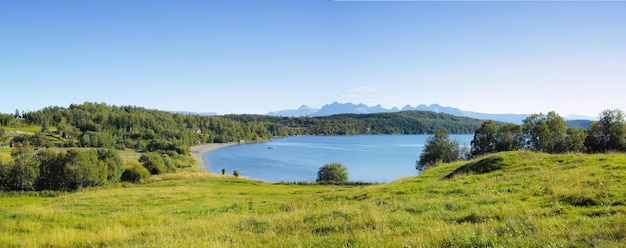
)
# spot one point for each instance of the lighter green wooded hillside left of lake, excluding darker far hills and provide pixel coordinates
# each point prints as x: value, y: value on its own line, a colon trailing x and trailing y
x: 104, y: 126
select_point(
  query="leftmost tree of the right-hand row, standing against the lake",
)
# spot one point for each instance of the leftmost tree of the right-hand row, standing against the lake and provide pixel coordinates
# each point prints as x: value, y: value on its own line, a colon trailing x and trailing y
x: 439, y: 148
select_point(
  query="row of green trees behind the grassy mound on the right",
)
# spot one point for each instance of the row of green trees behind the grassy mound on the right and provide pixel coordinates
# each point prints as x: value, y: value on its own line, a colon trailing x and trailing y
x: 542, y: 133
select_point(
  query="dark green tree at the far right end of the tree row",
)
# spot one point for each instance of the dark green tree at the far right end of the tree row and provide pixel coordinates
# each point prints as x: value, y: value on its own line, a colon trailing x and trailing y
x: 608, y: 133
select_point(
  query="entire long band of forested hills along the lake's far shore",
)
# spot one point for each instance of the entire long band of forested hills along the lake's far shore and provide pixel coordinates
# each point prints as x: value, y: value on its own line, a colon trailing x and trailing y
x: 103, y: 126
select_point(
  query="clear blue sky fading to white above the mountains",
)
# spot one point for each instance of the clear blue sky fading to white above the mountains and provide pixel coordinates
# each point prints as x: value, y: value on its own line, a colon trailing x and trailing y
x: 236, y: 56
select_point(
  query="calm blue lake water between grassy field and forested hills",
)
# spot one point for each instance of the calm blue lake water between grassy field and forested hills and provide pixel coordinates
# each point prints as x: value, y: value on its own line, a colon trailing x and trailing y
x: 369, y: 158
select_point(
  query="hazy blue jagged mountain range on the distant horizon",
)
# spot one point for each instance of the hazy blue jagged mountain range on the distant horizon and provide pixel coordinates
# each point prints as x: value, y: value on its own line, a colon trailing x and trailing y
x: 350, y: 108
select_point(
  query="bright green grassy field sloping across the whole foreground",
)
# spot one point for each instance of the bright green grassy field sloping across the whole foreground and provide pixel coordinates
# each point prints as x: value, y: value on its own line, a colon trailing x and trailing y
x: 508, y: 199
